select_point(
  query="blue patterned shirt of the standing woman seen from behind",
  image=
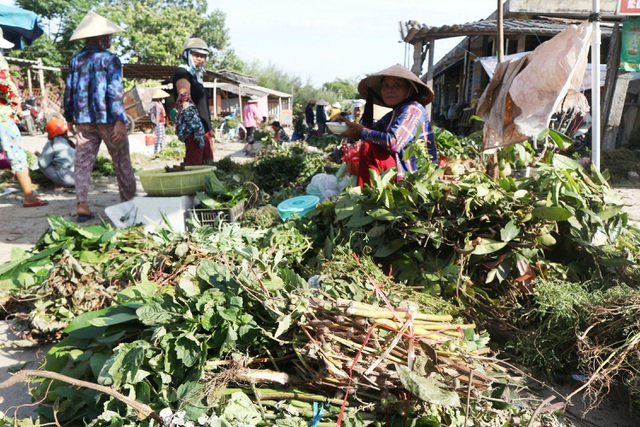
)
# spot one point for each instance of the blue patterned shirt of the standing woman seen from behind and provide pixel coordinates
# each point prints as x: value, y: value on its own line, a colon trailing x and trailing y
x: 94, y: 89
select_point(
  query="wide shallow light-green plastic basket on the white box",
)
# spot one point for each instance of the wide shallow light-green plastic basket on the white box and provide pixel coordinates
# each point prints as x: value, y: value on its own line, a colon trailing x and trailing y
x: 159, y: 182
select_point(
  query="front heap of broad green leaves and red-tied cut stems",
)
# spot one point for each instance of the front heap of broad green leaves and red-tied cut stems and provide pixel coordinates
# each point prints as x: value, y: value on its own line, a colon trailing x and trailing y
x: 224, y: 322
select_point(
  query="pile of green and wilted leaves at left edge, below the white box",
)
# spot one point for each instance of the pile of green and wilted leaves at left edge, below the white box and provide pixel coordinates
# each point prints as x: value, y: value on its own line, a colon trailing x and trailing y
x: 71, y: 270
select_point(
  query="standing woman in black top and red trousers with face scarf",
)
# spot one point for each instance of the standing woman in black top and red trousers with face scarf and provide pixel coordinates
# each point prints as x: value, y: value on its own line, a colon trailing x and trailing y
x: 188, y: 86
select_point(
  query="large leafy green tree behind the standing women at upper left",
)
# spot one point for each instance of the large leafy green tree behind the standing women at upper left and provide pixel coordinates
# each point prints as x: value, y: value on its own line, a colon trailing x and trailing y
x: 155, y: 30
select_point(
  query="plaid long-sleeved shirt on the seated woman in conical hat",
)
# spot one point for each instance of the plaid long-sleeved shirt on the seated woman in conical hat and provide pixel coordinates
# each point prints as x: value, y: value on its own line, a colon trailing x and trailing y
x: 398, y: 128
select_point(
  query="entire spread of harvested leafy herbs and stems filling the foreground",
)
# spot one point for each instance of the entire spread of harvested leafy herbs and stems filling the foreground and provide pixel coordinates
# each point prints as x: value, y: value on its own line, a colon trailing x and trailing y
x: 389, y: 306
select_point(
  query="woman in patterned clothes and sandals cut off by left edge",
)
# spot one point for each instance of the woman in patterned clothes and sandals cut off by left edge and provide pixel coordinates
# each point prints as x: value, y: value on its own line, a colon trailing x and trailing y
x: 10, y: 139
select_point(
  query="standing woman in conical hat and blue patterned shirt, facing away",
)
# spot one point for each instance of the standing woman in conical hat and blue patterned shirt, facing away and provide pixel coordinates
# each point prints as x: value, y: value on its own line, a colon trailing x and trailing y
x: 93, y: 103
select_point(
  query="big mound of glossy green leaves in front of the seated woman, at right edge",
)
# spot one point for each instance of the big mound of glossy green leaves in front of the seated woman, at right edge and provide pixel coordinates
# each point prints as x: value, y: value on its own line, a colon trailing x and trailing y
x: 458, y: 237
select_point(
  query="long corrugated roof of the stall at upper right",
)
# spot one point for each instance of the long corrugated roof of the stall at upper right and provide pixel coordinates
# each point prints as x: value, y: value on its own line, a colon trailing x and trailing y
x: 413, y: 31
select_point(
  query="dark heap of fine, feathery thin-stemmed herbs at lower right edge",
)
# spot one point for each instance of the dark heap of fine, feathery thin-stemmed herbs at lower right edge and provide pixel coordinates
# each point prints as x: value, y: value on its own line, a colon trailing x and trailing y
x: 586, y: 331
